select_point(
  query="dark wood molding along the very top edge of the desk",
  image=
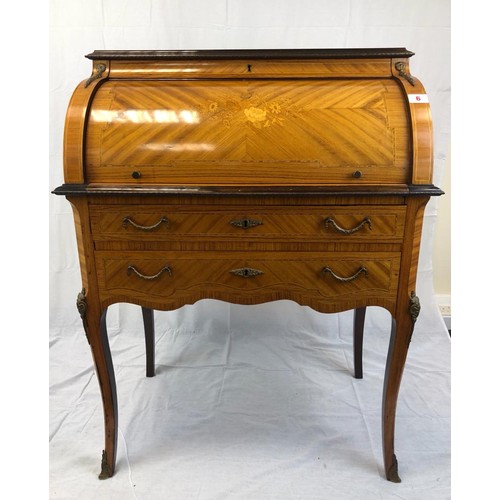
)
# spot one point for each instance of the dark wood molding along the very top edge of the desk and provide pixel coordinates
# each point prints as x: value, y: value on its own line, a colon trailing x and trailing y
x: 360, y: 53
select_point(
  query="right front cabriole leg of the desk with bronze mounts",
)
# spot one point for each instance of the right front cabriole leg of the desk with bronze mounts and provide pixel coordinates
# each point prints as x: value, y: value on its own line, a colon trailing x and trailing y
x: 402, y: 330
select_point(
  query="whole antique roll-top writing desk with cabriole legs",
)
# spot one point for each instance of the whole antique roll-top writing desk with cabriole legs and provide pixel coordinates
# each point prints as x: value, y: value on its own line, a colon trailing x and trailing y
x: 249, y: 176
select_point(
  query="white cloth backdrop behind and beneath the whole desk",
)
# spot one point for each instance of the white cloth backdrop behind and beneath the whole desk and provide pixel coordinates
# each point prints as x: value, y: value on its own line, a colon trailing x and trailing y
x: 248, y: 402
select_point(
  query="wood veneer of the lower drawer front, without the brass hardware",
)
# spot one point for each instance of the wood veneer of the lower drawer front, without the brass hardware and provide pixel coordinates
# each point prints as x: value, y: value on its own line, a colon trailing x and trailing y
x: 280, y: 270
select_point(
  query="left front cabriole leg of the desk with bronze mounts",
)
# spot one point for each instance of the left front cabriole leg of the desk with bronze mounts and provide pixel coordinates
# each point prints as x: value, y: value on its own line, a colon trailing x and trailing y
x: 94, y: 323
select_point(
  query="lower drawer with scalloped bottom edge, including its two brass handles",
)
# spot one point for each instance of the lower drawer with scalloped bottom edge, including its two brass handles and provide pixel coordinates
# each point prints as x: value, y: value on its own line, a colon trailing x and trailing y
x: 243, y: 277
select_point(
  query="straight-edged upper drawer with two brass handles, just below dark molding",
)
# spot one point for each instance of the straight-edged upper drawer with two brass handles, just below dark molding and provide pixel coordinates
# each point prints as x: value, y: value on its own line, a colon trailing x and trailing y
x: 157, y: 223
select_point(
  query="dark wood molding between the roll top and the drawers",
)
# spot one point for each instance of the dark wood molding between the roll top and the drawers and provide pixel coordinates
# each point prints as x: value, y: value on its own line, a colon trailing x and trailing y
x: 413, y: 190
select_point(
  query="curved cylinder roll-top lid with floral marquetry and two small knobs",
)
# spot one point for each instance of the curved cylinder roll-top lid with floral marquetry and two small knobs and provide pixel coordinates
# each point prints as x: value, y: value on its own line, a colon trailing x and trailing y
x: 248, y: 132
